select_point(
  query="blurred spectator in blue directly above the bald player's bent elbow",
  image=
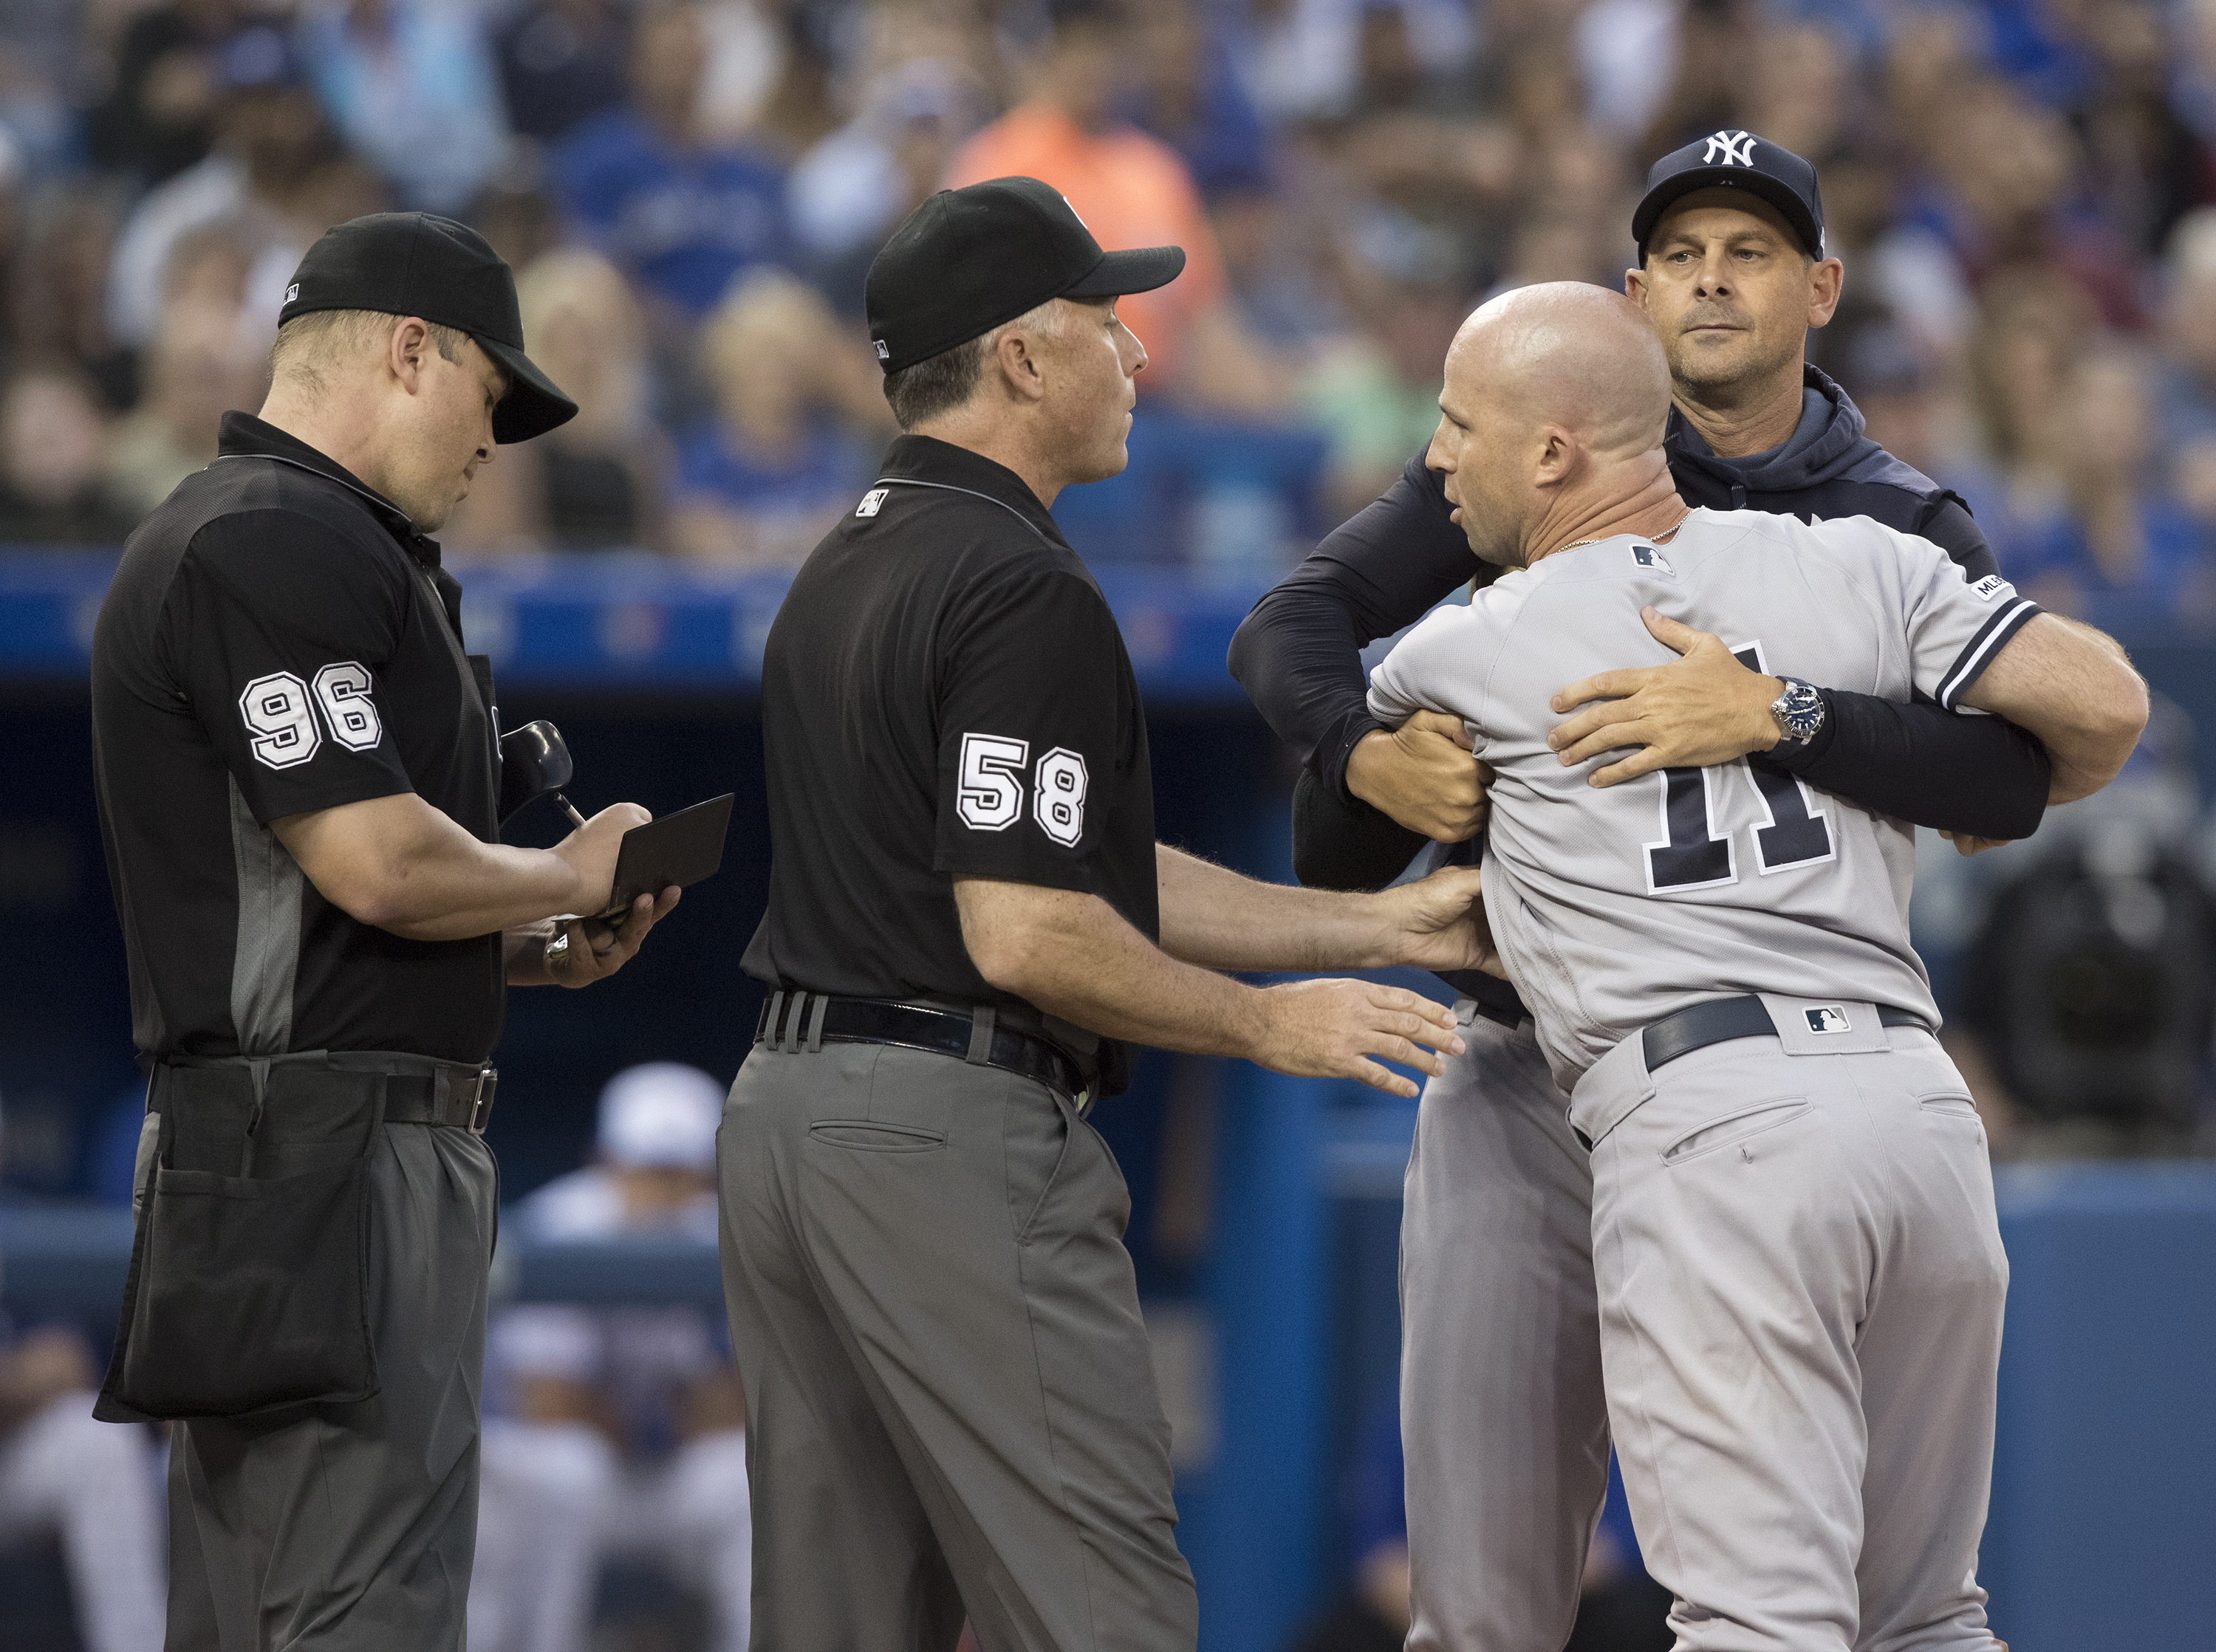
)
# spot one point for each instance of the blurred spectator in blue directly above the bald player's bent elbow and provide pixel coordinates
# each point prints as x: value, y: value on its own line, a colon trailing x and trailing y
x: 2124, y: 546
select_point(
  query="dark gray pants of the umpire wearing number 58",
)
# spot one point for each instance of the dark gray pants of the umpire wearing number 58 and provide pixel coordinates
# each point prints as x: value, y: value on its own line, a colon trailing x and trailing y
x: 950, y: 1396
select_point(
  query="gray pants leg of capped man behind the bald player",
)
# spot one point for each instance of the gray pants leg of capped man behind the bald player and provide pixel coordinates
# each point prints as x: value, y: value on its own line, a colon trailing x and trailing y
x: 1504, y: 1416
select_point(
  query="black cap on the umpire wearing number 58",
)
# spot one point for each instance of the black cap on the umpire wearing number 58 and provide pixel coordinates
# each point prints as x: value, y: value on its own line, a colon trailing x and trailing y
x: 974, y: 258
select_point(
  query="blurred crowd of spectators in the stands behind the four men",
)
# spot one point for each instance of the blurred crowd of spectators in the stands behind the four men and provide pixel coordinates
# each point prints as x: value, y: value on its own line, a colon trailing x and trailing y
x: 692, y: 192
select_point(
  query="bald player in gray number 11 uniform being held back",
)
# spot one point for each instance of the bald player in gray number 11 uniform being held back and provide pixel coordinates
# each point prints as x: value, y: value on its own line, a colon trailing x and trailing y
x: 1798, y: 1263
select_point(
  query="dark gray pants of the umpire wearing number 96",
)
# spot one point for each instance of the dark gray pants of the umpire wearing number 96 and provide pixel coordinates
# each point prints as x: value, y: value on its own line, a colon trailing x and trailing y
x: 351, y: 1529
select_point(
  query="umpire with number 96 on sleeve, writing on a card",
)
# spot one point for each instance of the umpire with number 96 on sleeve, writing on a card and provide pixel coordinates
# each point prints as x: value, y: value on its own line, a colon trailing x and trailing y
x: 300, y: 796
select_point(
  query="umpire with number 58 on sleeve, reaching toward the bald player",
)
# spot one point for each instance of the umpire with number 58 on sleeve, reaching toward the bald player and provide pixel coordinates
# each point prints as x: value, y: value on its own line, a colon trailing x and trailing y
x: 950, y: 1401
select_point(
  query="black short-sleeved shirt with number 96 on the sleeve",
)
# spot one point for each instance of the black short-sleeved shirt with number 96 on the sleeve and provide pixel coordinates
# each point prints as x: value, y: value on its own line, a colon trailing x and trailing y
x: 280, y: 641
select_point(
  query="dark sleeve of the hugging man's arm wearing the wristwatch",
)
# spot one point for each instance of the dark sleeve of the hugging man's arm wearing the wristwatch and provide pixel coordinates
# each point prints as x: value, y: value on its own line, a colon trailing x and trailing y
x: 1920, y: 763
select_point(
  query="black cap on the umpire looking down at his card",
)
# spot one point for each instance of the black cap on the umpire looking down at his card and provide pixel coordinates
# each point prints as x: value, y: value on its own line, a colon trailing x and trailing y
x: 442, y: 271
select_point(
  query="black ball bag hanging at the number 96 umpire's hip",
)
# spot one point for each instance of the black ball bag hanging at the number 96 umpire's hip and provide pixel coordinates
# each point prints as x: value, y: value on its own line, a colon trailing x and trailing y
x: 252, y: 1261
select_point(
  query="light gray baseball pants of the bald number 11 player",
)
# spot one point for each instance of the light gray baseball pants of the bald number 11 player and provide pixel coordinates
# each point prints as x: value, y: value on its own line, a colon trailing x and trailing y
x: 1800, y: 1323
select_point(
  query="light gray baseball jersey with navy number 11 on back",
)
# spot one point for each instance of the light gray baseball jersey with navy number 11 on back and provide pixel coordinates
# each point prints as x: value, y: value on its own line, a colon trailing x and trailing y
x: 1617, y: 907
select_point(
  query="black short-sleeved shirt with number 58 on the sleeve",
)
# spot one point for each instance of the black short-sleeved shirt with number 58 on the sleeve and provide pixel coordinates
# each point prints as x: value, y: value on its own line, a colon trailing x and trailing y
x: 945, y: 692
